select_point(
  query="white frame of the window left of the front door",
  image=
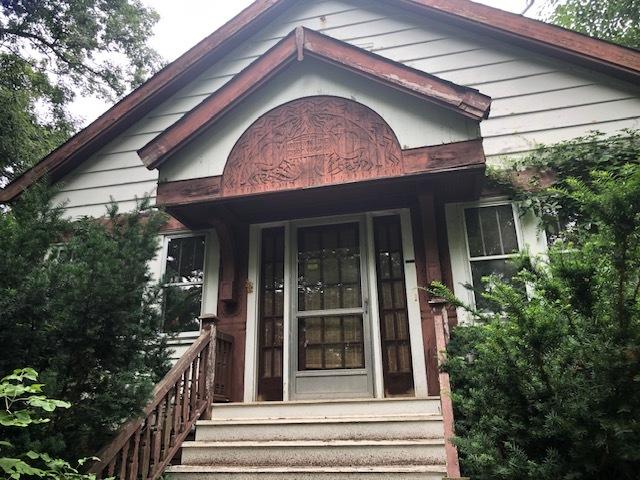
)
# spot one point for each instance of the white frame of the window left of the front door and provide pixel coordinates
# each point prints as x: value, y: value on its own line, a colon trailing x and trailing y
x: 209, y: 244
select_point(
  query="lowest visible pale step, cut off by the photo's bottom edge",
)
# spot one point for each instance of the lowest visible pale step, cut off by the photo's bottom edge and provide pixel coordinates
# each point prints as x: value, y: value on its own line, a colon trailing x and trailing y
x: 404, y: 472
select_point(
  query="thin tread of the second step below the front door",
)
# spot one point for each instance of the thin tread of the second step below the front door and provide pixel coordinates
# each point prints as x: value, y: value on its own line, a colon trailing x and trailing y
x: 321, y: 419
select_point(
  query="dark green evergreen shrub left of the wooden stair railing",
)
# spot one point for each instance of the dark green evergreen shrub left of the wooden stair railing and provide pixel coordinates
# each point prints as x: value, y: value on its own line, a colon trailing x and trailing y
x: 77, y: 305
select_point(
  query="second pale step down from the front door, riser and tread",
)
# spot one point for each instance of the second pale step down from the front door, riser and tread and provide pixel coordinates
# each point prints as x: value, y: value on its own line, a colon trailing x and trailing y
x: 355, y: 427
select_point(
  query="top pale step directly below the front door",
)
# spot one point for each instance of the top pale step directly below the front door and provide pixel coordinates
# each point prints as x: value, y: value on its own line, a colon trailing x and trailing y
x: 321, y: 408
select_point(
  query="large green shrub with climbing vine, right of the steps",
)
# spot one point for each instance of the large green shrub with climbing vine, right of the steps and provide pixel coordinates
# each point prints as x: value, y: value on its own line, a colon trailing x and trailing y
x: 549, y: 387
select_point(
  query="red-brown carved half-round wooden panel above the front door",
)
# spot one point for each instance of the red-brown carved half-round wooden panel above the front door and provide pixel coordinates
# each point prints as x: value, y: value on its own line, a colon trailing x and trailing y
x: 310, y: 142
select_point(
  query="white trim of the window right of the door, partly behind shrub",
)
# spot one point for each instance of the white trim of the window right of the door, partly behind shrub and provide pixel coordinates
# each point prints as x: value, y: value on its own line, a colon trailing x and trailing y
x: 529, y: 233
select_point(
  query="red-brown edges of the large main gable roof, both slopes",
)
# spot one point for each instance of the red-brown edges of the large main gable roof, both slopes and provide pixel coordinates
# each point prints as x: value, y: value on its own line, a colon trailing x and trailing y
x: 597, y: 54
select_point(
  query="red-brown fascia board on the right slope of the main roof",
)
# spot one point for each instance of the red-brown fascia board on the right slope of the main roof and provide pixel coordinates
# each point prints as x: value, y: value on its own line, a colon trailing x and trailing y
x: 527, y: 32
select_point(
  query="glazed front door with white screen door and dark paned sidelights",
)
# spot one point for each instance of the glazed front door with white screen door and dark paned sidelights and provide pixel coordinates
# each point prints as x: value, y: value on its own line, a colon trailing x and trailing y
x: 333, y: 309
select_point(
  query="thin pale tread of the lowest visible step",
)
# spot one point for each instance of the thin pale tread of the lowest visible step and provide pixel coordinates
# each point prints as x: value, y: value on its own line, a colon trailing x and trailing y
x: 438, y: 468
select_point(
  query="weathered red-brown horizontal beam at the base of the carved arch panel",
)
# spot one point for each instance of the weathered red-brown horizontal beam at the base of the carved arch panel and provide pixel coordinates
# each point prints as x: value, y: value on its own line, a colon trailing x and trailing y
x: 416, y: 161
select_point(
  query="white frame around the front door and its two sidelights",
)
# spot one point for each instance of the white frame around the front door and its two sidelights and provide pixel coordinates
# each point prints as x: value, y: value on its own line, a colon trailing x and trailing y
x: 413, y: 305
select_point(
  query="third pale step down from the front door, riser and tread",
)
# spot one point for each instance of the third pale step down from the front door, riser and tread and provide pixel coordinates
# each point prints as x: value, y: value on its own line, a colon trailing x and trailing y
x: 350, y: 453
